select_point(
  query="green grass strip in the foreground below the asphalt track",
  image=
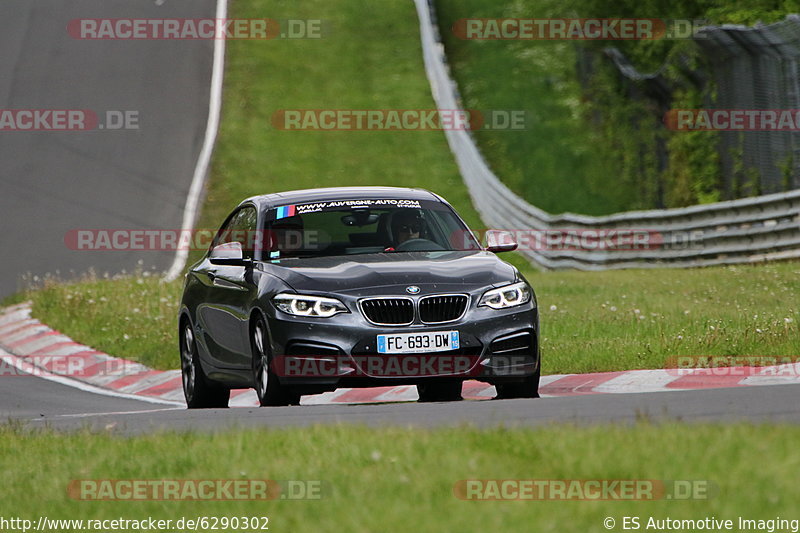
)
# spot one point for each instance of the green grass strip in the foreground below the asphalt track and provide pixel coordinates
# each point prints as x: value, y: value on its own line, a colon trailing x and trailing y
x: 401, y: 479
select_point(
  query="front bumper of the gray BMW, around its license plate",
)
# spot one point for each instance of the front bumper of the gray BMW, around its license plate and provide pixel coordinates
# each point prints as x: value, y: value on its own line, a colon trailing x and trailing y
x: 496, y: 346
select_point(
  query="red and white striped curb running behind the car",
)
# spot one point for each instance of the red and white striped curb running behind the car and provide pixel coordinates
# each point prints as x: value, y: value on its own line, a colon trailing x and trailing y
x: 30, y: 347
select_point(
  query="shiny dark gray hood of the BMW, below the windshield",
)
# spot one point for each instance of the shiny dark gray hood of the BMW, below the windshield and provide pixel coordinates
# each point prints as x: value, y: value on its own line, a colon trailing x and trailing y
x: 369, y: 273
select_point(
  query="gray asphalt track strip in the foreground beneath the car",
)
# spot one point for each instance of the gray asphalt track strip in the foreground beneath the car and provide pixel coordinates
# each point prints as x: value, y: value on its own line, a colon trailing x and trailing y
x: 40, y: 403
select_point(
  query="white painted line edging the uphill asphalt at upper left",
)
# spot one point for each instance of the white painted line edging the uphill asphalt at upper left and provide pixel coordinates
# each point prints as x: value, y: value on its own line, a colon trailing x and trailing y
x: 201, y: 169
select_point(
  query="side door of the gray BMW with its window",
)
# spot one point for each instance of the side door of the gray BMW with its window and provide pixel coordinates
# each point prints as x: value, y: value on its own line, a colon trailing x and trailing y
x: 230, y: 289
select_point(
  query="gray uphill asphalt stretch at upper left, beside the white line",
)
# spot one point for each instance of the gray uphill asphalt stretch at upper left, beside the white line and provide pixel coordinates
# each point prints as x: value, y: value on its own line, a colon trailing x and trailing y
x: 53, y: 182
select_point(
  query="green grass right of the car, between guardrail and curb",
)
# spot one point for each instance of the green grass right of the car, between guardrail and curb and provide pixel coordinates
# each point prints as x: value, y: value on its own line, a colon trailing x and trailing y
x: 640, y: 318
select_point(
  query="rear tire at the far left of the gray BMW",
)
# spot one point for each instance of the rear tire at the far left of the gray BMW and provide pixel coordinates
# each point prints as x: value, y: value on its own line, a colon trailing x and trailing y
x: 199, y: 392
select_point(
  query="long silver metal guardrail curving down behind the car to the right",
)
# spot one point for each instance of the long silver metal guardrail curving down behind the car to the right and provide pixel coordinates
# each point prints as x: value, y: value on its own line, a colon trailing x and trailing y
x: 738, y: 231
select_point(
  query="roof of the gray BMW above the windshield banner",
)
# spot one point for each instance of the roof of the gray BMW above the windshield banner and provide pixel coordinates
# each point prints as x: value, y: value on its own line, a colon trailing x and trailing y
x: 340, y: 193
